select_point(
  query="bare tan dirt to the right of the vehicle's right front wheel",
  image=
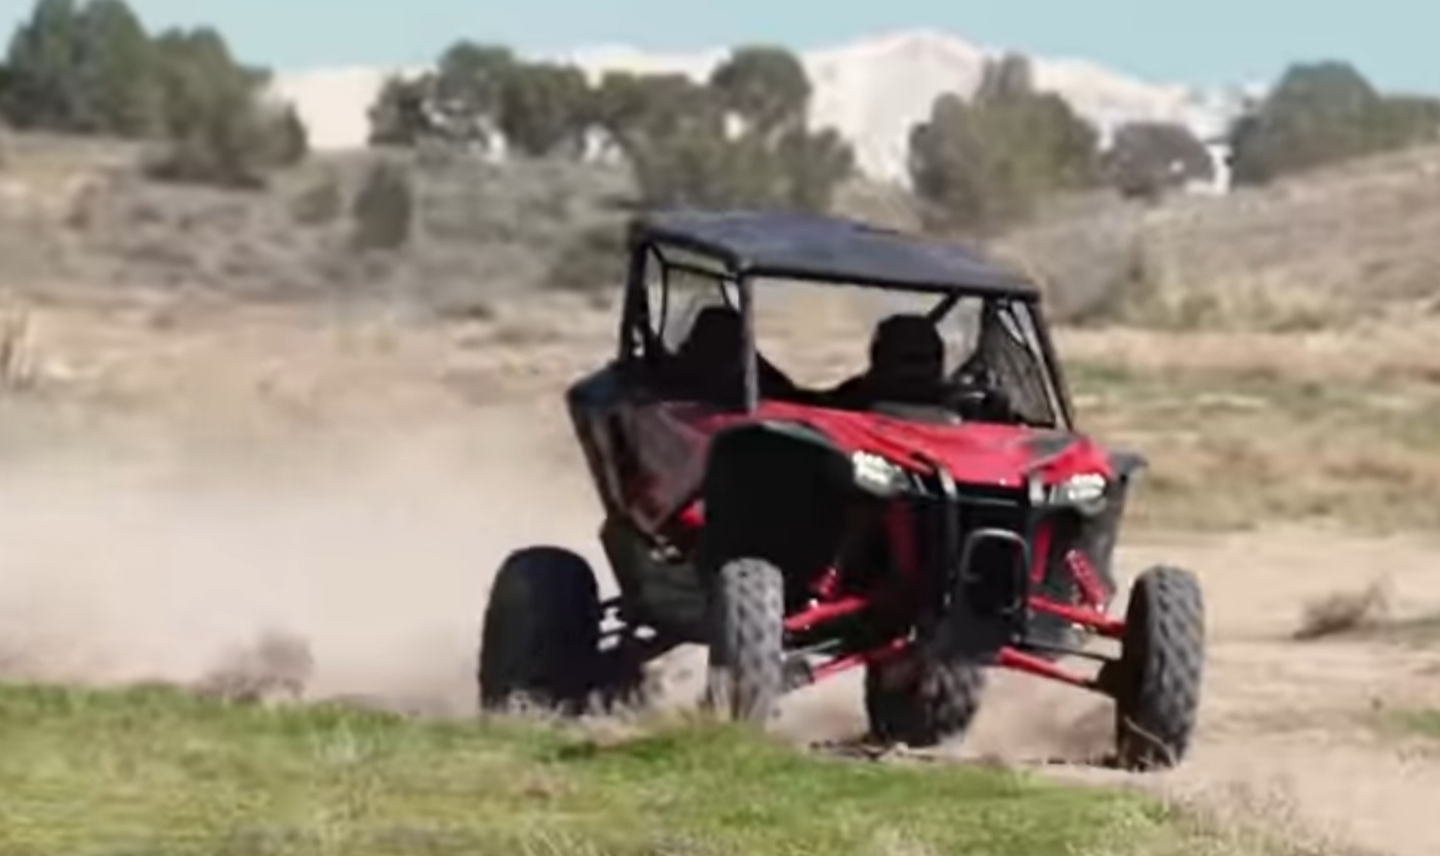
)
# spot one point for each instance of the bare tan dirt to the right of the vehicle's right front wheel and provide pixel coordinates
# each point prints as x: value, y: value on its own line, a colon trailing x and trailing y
x: 1295, y: 724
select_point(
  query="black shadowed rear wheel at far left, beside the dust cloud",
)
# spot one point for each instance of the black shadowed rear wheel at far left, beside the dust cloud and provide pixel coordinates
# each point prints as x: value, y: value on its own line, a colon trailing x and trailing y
x: 539, y: 645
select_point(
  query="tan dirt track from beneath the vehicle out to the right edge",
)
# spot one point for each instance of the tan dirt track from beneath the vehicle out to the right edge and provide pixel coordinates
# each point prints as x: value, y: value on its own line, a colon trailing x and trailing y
x: 1288, y: 730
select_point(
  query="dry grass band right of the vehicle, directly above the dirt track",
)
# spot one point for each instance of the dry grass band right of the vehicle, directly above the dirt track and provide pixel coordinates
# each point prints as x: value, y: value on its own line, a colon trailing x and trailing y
x: 1233, y: 449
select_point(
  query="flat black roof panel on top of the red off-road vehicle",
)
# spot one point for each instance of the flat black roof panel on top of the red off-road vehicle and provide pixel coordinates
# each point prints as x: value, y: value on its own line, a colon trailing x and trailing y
x: 800, y: 247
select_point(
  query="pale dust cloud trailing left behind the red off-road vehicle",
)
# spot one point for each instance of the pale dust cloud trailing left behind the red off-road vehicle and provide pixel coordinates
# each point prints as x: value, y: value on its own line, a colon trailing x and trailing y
x: 364, y: 574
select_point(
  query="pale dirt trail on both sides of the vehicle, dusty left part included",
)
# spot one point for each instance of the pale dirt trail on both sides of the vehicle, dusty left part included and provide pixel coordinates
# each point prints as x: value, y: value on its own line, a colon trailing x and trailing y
x: 378, y: 553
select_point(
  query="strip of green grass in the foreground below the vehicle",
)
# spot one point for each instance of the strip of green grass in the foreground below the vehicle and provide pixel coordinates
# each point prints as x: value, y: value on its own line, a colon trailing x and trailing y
x: 159, y: 773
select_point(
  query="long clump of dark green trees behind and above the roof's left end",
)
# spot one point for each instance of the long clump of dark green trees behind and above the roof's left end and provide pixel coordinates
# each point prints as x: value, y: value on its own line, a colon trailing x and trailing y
x: 678, y: 135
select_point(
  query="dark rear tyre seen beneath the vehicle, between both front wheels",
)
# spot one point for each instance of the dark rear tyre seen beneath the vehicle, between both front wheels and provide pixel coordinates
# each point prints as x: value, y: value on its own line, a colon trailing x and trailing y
x: 925, y: 703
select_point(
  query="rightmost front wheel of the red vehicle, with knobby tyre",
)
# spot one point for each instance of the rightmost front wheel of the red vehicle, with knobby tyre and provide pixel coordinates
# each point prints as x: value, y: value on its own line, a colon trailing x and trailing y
x: 1157, y: 682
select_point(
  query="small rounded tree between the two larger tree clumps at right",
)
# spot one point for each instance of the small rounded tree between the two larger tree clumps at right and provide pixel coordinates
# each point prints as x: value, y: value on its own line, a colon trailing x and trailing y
x: 1147, y: 159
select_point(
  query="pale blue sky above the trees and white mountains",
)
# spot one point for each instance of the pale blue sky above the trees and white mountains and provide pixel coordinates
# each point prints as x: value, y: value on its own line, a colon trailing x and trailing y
x: 1199, y: 43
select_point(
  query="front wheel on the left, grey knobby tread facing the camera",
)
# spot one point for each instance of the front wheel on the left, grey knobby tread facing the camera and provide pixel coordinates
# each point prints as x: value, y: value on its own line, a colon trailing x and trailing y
x: 747, y: 675
